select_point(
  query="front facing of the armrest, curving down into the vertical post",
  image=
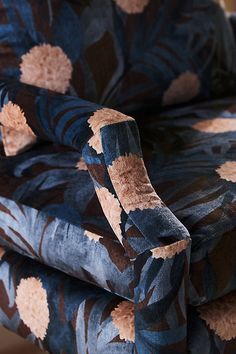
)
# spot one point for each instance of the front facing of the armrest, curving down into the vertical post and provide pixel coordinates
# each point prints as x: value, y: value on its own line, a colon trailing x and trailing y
x: 156, y: 241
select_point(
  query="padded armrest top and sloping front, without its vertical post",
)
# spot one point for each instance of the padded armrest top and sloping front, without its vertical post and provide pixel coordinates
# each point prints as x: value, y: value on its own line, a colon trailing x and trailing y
x: 113, y: 138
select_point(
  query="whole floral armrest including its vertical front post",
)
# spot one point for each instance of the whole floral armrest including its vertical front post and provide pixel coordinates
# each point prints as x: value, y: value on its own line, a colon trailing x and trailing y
x: 155, y: 240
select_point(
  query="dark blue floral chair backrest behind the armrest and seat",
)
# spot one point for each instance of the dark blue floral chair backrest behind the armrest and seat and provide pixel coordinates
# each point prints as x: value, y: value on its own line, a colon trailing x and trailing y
x: 126, y: 54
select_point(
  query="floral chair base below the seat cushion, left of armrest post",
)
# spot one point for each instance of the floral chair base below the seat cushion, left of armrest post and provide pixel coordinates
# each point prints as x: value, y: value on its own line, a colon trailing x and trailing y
x: 74, y: 316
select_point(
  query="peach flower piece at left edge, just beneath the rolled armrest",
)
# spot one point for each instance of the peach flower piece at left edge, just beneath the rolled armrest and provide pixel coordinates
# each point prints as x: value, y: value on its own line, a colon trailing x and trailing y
x: 15, y: 141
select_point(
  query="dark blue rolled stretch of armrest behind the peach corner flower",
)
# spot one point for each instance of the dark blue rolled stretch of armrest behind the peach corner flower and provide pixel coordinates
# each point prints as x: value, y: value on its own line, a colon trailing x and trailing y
x: 51, y: 116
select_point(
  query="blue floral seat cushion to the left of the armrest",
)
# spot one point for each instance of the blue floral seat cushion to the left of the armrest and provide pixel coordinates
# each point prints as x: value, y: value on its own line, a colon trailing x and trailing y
x: 49, y: 210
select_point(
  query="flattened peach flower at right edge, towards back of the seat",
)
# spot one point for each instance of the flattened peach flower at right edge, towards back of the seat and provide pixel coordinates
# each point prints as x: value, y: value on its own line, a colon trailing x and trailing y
x: 216, y: 125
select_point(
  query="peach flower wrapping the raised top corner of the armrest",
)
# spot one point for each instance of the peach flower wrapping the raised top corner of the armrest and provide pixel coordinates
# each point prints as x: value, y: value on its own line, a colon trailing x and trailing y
x: 100, y: 119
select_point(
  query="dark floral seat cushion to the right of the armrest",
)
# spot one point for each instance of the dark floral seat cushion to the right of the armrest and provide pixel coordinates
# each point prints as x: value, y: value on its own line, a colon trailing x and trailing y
x: 191, y: 160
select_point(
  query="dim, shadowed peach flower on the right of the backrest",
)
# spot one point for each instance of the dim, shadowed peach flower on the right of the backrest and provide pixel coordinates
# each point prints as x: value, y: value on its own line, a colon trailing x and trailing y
x: 183, y: 89
